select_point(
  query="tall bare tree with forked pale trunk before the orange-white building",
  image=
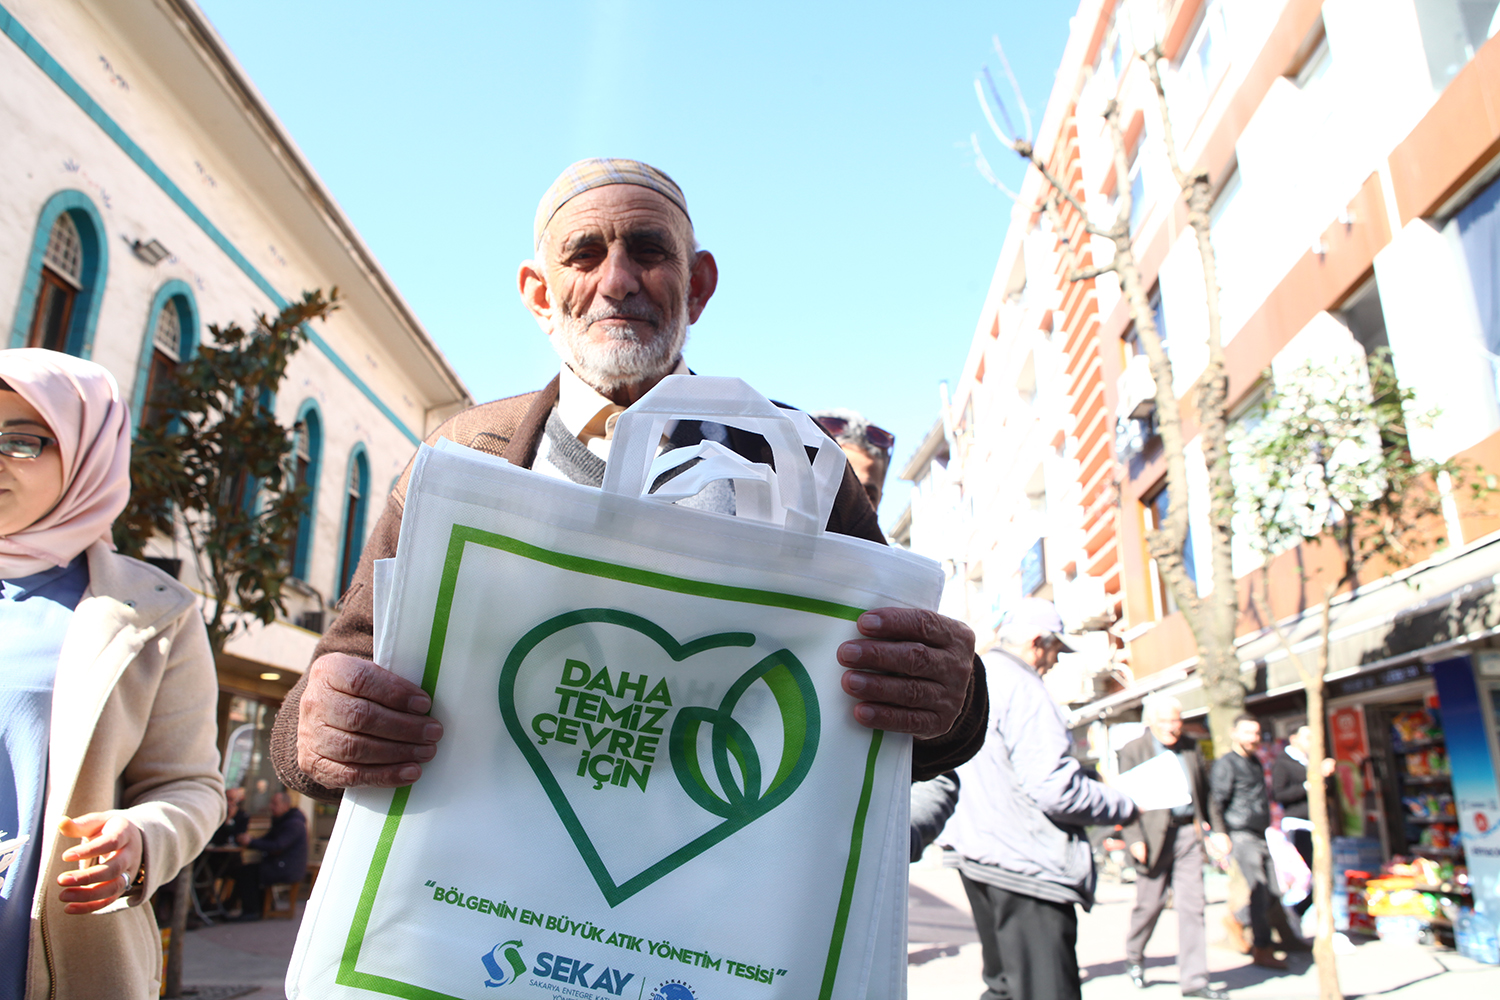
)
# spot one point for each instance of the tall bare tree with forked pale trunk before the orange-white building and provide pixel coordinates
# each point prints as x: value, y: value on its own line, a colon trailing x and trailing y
x: 1213, y: 617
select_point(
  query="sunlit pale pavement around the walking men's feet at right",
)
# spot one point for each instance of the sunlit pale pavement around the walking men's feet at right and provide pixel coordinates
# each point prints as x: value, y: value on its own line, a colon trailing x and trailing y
x: 944, y: 956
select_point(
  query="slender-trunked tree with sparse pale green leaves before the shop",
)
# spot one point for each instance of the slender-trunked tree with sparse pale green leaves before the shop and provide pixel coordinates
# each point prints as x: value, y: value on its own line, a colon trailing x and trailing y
x: 1327, y: 458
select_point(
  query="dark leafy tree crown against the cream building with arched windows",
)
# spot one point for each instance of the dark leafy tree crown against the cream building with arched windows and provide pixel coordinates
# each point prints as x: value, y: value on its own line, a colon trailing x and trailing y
x: 211, y: 464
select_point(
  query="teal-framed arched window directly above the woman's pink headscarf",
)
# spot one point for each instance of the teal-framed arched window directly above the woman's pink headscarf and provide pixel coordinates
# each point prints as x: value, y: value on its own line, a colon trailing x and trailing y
x: 64, y: 280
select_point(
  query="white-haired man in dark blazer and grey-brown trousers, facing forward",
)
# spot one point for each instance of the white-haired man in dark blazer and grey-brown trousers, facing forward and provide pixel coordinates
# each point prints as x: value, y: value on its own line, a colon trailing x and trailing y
x: 1168, y: 846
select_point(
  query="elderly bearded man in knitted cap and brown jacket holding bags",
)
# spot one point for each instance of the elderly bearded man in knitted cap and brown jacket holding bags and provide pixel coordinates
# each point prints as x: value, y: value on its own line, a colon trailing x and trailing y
x: 616, y: 281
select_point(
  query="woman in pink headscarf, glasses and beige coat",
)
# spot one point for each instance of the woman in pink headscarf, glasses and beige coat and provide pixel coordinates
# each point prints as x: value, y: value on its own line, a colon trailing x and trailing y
x: 109, y: 762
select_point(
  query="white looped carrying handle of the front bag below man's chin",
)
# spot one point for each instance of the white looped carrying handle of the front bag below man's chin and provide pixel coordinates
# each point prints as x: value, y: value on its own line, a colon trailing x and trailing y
x: 806, y: 490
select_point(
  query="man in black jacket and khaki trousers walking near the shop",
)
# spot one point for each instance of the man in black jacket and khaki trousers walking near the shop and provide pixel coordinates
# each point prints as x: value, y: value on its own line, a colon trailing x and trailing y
x: 1240, y: 809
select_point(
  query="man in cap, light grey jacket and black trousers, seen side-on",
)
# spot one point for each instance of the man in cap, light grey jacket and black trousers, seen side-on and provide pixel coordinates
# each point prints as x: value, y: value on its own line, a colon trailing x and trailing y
x: 1018, y: 833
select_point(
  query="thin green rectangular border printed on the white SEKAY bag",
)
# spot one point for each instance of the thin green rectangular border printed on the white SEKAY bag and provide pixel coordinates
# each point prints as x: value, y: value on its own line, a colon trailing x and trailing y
x: 458, y: 542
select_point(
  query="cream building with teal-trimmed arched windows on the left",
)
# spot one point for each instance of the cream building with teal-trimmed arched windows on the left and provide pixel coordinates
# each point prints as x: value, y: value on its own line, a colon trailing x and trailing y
x: 151, y: 193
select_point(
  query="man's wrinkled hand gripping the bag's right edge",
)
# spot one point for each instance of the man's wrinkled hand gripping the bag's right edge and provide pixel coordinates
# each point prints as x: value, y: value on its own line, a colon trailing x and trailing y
x: 910, y: 672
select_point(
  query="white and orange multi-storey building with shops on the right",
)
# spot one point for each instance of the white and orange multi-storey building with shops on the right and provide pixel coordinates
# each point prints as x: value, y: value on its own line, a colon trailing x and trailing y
x: 1354, y: 149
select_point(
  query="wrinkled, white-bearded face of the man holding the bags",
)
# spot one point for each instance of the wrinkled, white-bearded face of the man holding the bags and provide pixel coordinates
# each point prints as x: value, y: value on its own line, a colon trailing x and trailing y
x: 619, y: 286
